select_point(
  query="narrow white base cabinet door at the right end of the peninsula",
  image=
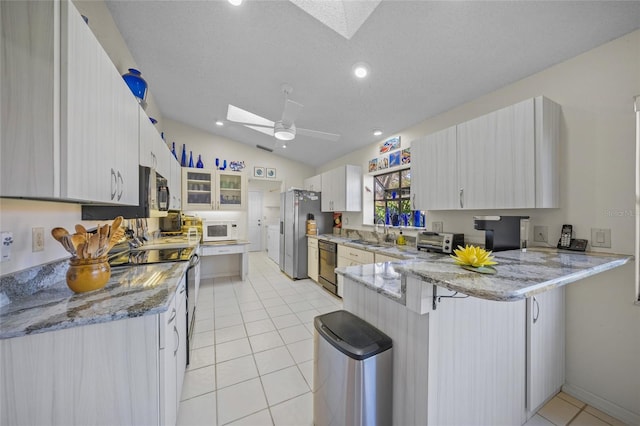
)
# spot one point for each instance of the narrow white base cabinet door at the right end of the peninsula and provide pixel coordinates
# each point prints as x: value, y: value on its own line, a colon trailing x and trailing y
x: 545, y: 347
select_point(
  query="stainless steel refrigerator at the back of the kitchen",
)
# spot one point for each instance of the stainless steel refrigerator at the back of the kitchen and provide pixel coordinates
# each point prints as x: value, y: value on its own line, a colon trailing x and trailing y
x: 296, y: 206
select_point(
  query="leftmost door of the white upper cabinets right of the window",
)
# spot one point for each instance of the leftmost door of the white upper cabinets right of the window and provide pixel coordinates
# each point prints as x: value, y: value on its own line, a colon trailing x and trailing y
x: 433, y: 178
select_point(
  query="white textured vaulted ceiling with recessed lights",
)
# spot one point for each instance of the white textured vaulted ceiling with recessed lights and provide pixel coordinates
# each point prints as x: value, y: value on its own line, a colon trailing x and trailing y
x: 426, y: 57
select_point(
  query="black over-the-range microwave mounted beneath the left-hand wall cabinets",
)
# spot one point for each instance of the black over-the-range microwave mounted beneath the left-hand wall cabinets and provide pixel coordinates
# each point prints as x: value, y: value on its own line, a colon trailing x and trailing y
x: 153, y: 196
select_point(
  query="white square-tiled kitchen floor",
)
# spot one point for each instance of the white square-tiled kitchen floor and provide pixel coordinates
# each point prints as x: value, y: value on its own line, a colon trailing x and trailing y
x: 252, y: 356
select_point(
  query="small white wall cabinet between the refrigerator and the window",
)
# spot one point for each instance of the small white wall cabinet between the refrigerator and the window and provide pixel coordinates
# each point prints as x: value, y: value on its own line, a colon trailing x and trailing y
x: 342, y: 189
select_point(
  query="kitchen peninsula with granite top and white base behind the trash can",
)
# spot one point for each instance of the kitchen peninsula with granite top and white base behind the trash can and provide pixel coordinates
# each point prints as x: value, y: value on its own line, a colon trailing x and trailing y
x: 472, y: 348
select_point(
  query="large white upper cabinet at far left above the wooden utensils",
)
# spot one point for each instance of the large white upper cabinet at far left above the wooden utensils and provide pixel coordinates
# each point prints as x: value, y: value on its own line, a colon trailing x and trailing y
x: 68, y: 119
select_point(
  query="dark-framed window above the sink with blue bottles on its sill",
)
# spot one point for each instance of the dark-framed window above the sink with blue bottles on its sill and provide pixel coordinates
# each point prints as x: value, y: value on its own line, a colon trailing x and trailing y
x: 392, y: 199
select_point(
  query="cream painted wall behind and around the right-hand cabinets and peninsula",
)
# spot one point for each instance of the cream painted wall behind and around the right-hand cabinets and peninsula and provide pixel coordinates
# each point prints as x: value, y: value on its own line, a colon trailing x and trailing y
x: 596, y: 91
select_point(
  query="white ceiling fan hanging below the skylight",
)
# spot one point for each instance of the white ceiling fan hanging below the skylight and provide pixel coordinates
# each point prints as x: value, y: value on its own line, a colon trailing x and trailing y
x: 283, y: 129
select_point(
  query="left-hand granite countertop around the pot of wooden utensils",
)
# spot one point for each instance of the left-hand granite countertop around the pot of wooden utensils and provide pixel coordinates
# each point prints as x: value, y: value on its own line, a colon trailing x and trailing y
x: 131, y: 292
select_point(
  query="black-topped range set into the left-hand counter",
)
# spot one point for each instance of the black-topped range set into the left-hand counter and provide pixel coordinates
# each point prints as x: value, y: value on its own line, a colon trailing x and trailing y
x: 142, y: 256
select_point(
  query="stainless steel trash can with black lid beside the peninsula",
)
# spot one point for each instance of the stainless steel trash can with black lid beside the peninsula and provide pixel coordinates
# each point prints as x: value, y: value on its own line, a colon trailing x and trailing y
x: 352, y: 372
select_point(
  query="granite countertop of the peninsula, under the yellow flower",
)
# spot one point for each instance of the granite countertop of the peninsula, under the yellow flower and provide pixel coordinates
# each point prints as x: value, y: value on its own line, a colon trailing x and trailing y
x: 520, y: 274
